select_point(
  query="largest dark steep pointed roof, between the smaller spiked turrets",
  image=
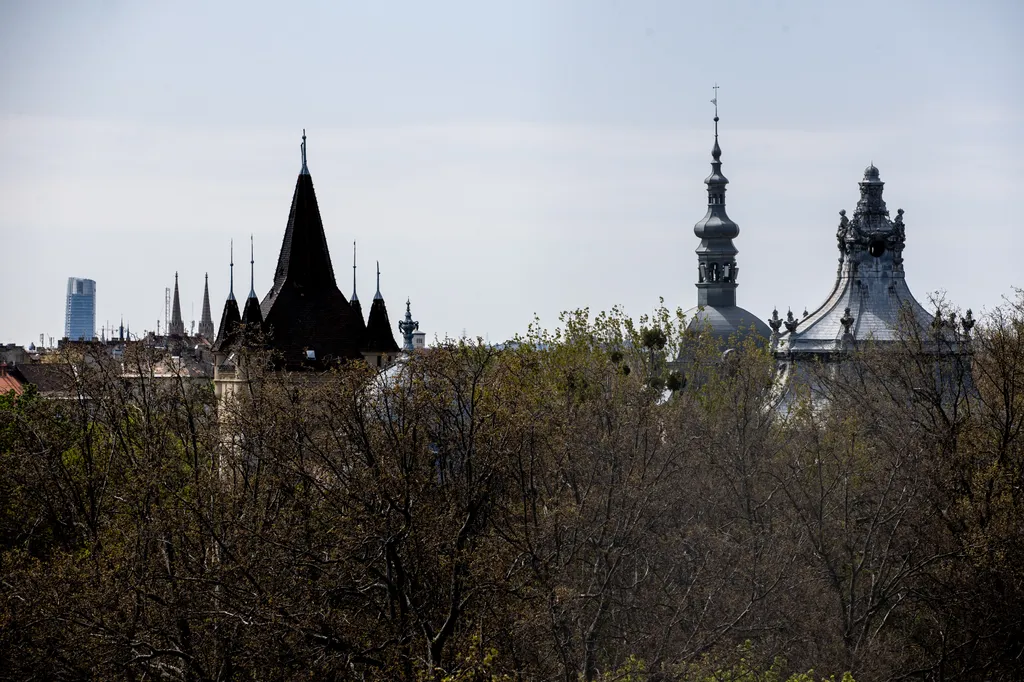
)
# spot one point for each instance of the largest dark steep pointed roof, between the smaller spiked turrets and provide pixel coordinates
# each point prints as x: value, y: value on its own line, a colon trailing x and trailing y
x: 306, y: 316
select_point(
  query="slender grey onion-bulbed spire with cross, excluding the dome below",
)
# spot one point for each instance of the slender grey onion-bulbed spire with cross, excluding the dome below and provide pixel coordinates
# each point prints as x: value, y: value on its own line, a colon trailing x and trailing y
x: 717, y: 268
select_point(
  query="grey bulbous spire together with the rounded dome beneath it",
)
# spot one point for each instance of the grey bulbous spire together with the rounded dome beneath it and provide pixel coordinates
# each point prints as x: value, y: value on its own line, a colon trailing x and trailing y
x: 717, y: 269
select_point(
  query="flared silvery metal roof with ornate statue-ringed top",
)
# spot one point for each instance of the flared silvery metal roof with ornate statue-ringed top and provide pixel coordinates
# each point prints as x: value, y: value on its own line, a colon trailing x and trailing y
x: 871, y: 295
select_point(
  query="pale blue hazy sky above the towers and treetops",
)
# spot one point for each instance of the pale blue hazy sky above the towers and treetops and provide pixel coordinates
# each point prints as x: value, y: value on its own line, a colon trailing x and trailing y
x: 500, y: 160
